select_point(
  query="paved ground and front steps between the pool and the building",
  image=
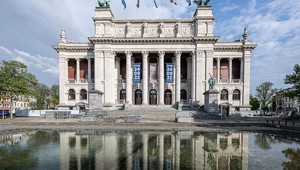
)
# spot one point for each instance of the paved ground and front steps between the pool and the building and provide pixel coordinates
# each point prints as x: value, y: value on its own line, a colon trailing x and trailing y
x: 158, y: 120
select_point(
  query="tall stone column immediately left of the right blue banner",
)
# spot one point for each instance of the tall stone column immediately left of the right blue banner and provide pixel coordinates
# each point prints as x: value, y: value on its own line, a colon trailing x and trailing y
x: 161, y: 77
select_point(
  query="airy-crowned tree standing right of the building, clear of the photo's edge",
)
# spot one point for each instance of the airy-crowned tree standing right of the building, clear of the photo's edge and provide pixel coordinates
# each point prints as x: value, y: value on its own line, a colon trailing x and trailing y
x: 264, y: 94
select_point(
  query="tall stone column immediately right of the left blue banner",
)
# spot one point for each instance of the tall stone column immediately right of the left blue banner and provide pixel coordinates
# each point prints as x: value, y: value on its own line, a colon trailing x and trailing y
x: 145, y: 77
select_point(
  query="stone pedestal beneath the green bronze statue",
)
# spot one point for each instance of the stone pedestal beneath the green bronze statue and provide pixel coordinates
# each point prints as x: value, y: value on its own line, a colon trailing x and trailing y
x: 211, y: 101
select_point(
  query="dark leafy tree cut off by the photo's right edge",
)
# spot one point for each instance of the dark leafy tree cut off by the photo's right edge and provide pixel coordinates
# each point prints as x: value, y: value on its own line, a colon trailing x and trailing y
x: 293, y: 79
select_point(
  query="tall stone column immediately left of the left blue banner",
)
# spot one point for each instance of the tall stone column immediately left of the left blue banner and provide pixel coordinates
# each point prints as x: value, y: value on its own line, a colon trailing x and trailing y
x: 128, y: 77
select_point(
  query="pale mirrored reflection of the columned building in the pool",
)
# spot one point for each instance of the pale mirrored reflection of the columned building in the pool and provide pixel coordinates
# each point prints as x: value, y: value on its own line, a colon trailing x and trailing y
x: 153, y: 150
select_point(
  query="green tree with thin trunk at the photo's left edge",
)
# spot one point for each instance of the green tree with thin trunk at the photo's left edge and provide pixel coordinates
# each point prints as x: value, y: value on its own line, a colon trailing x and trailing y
x: 15, y: 80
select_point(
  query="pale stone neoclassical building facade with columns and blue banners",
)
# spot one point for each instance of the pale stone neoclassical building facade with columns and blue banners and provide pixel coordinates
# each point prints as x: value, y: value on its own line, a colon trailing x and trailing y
x: 154, y: 62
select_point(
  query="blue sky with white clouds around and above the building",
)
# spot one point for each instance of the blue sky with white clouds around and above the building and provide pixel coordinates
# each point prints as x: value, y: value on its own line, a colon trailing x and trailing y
x: 29, y: 29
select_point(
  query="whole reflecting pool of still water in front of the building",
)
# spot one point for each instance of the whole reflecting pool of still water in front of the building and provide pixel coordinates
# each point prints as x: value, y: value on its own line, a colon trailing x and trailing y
x: 122, y: 149
